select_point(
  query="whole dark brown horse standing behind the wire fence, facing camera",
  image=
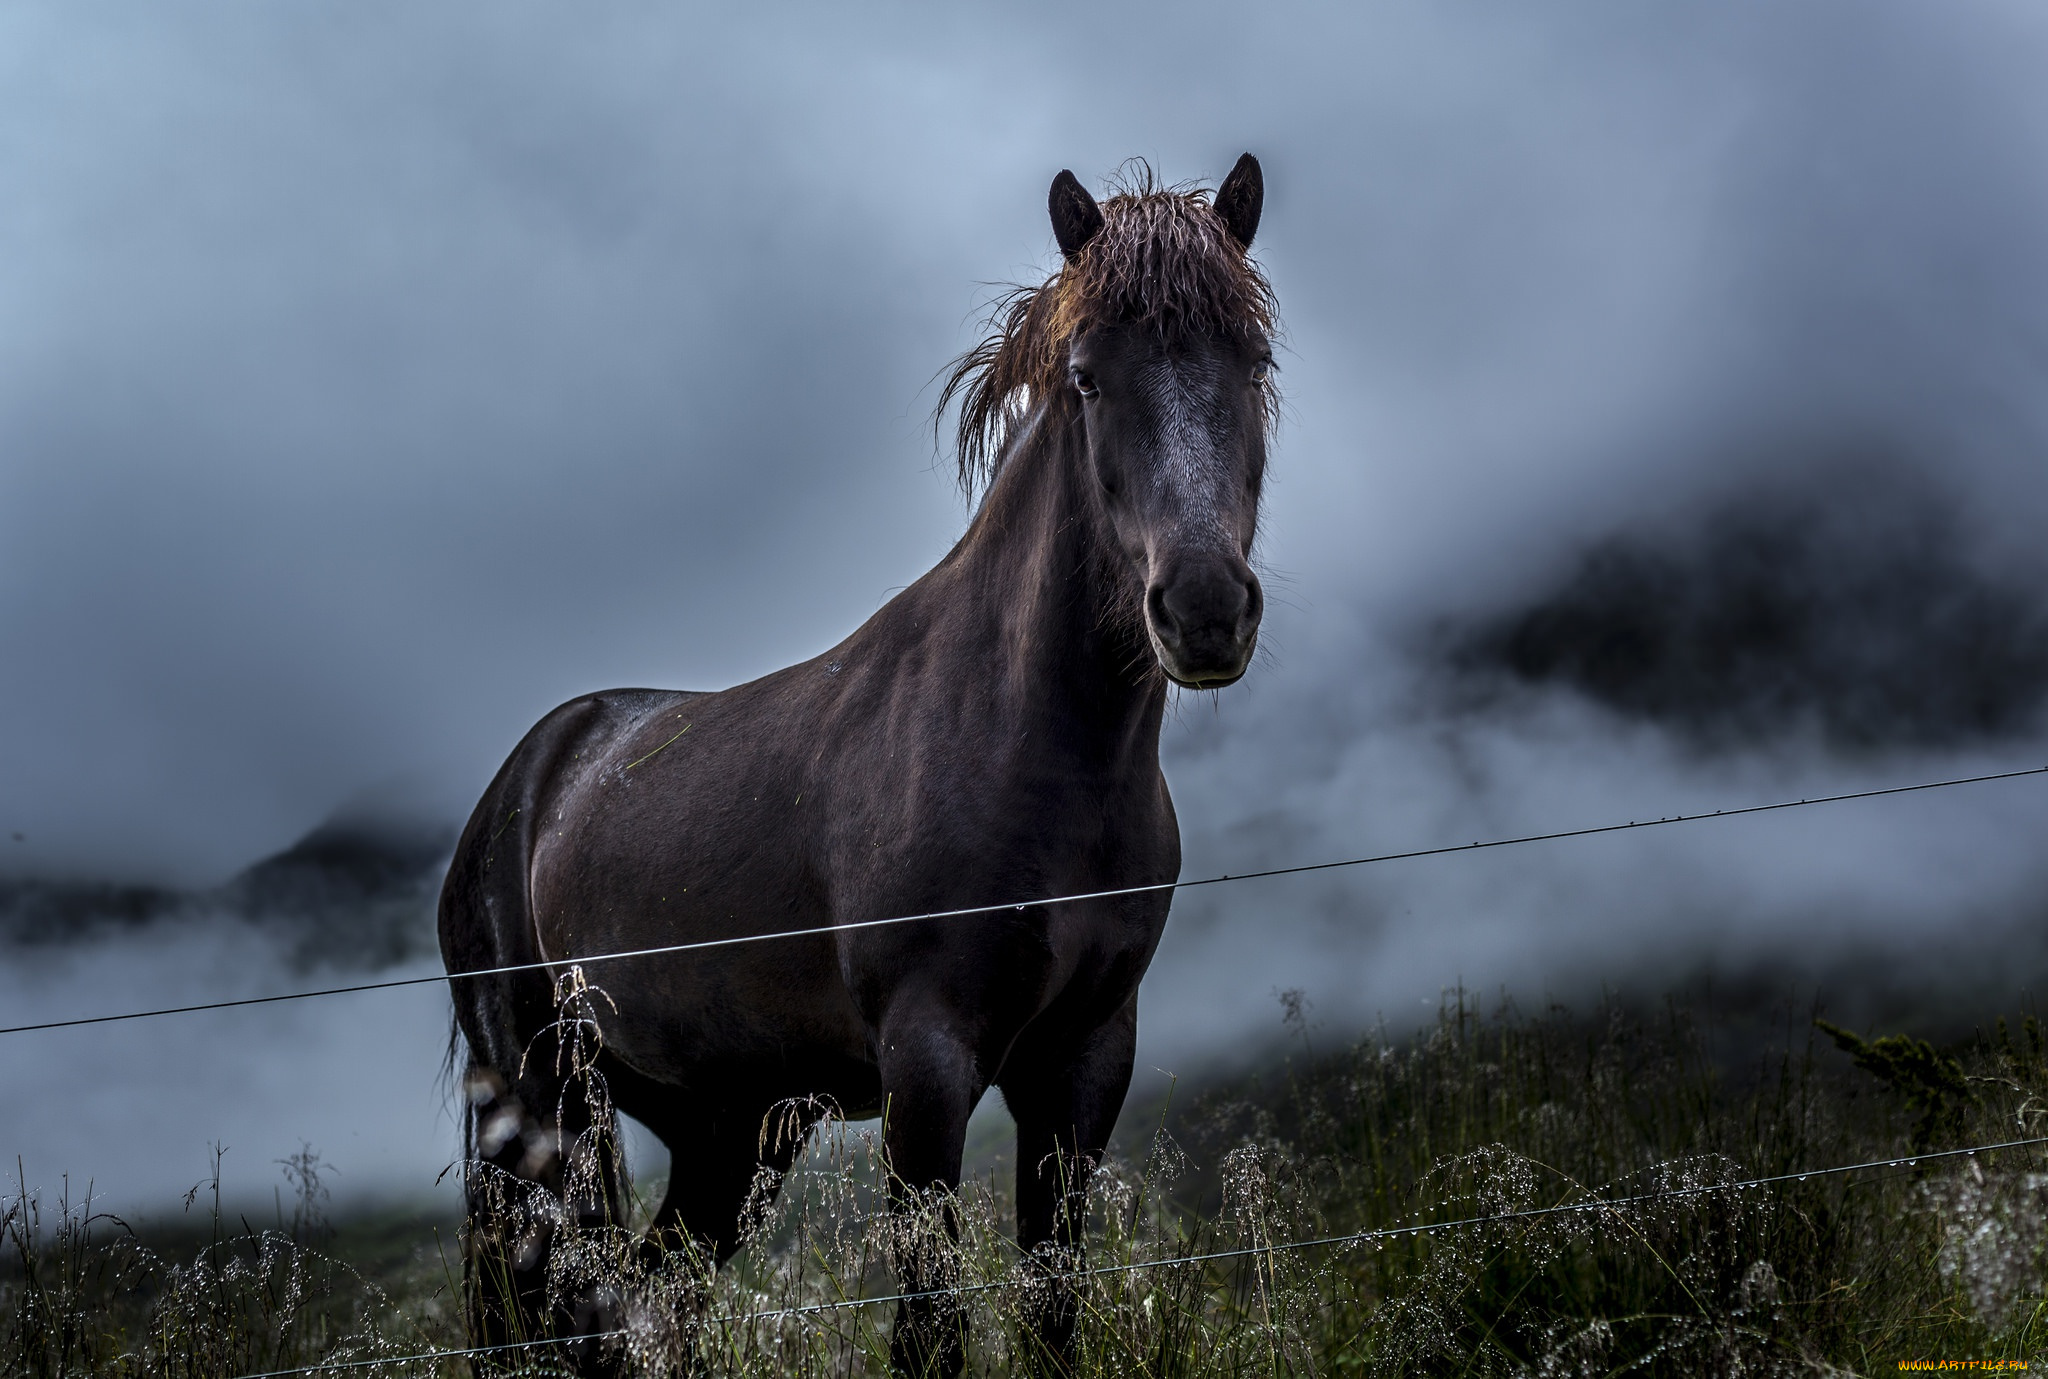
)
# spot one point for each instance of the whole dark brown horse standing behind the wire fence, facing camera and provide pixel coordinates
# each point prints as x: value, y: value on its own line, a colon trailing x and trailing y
x: 992, y: 735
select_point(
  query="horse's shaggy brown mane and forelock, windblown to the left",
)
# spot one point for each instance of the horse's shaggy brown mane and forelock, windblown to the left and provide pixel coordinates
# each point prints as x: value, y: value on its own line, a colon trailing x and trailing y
x: 1162, y: 261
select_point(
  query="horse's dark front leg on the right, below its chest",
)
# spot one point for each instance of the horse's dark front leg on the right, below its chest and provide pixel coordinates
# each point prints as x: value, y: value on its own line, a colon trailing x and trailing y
x: 1066, y: 1099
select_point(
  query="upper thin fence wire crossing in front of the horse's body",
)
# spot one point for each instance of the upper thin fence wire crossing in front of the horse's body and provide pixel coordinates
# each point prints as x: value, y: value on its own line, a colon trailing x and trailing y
x: 703, y: 946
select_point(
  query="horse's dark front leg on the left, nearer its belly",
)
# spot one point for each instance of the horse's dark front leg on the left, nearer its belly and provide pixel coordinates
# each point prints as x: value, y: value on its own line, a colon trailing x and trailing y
x: 931, y: 1085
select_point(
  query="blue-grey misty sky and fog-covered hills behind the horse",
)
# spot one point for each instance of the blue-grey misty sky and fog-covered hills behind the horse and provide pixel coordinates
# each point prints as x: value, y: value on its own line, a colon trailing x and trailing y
x: 1666, y: 431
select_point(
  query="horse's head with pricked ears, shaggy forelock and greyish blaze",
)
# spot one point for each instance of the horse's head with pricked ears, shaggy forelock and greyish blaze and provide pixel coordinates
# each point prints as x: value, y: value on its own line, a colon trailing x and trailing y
x: 1152, y: 349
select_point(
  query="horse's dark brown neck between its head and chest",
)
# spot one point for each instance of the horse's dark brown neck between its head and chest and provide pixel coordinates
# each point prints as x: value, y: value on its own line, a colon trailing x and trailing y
x: 1062, y: 597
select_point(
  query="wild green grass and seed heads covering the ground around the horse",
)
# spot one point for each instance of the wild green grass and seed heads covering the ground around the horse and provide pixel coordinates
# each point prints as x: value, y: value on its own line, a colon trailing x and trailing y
x: 1471, y: 1122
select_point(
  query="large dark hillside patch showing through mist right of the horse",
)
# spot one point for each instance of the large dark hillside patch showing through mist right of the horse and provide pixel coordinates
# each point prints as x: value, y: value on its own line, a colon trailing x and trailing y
x: 1850, y: 603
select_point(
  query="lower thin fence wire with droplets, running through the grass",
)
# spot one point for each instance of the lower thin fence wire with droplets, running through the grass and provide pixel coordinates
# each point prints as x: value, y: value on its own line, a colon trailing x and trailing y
x: 1213, y: 1257
